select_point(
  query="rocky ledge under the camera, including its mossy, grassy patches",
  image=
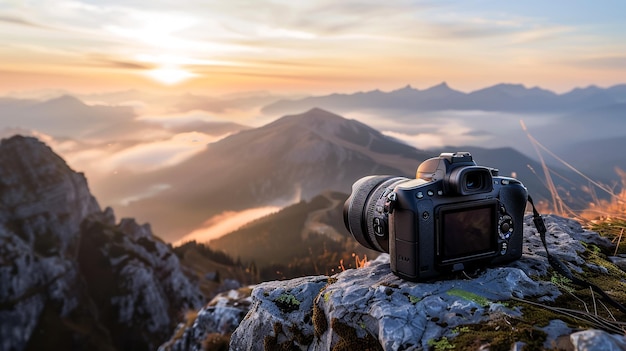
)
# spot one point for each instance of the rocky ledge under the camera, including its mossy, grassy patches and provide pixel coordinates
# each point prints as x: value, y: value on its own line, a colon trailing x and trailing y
x: 523, y: 305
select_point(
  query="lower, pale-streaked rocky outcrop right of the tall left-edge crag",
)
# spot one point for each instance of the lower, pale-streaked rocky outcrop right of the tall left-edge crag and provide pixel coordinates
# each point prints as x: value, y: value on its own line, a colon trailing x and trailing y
x: 135, y: 279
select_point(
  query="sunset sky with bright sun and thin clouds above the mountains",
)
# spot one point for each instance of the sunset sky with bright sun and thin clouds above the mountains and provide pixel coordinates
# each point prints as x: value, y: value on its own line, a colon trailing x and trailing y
x: 314, y: 47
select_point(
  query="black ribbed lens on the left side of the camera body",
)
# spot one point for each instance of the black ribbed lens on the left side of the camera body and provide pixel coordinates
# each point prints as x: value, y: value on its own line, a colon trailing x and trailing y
x: 362, y: 211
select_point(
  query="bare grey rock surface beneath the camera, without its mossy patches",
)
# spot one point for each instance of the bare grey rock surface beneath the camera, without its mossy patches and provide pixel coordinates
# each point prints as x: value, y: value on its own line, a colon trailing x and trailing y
x: 377, y: 309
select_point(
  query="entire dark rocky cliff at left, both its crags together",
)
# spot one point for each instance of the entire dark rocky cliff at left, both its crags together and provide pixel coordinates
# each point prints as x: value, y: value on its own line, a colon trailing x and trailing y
x: 70, y: 278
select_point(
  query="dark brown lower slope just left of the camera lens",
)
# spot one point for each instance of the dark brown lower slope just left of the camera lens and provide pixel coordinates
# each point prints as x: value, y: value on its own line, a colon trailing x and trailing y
x: 307, y: 238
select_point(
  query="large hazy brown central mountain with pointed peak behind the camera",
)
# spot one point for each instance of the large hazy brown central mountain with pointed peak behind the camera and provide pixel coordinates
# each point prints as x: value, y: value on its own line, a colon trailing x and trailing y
x: 293, y: 158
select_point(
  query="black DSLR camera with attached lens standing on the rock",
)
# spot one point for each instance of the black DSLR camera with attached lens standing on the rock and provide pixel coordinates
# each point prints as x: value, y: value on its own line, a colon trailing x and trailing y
x: 454, y: 215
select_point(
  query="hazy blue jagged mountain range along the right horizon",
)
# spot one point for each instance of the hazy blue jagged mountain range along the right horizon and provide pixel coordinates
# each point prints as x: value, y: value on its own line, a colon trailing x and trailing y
x: 501, y: 97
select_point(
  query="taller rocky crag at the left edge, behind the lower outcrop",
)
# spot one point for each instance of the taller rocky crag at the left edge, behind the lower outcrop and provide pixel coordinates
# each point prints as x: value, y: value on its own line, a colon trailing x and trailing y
x: 42, y: 203
